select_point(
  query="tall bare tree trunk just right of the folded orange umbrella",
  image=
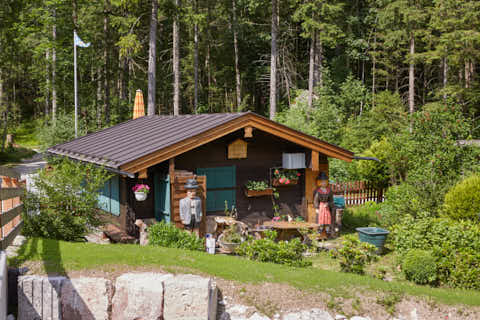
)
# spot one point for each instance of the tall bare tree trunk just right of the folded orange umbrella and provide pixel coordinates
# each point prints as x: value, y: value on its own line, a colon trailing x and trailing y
x: 152, y: 59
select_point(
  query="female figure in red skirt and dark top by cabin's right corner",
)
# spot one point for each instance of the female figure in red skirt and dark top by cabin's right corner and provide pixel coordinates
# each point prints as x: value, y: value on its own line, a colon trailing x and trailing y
x: 323, y: 202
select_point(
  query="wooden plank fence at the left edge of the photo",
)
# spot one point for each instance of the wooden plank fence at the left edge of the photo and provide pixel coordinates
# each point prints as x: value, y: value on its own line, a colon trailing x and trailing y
x: 10, y: 206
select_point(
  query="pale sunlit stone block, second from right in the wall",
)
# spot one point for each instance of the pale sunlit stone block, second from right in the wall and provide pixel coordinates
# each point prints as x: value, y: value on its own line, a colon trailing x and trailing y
x: 139, y: 295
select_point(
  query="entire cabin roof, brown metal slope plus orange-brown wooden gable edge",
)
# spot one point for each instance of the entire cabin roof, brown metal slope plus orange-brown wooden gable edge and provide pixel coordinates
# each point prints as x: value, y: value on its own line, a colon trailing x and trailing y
x: 144, y: 137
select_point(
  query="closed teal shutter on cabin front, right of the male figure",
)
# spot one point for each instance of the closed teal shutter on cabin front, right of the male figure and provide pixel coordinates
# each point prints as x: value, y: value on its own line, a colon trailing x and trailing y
x: 221, y: 187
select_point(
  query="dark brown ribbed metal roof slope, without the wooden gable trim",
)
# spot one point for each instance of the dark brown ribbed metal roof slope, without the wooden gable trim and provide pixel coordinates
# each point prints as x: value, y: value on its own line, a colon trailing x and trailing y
x: 133, y: 139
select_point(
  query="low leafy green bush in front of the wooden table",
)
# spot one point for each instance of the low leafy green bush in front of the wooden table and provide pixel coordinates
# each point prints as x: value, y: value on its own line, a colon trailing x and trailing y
x: 281, y: 252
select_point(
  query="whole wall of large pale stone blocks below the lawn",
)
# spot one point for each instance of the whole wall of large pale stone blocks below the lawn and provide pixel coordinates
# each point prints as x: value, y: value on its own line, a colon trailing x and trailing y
x: 131, y: 296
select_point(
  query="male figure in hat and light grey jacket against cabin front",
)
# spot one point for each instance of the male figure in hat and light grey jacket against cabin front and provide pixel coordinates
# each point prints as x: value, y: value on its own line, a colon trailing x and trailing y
x: 191, y: 206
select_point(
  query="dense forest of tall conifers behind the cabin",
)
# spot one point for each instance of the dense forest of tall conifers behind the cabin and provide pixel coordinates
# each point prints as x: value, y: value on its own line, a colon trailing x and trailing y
x: 350, y: 72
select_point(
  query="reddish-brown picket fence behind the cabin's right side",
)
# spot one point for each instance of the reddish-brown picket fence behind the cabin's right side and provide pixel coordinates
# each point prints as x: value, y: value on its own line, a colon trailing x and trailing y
x: 358, y: 192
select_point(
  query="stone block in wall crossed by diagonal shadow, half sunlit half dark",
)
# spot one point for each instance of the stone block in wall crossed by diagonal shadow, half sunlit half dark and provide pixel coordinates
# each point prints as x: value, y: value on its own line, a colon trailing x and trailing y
x: 86, y: 298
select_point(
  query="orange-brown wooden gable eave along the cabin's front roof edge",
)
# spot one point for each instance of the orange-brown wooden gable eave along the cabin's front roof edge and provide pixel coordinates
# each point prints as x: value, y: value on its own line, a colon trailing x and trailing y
x: 229, y: 127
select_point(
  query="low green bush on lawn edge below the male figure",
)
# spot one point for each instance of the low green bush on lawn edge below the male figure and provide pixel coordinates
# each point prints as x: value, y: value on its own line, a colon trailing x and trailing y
x: 167, y: 235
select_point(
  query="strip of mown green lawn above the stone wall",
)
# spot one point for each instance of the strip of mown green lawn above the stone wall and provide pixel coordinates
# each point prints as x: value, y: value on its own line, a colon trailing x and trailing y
x: 62, y: 257
